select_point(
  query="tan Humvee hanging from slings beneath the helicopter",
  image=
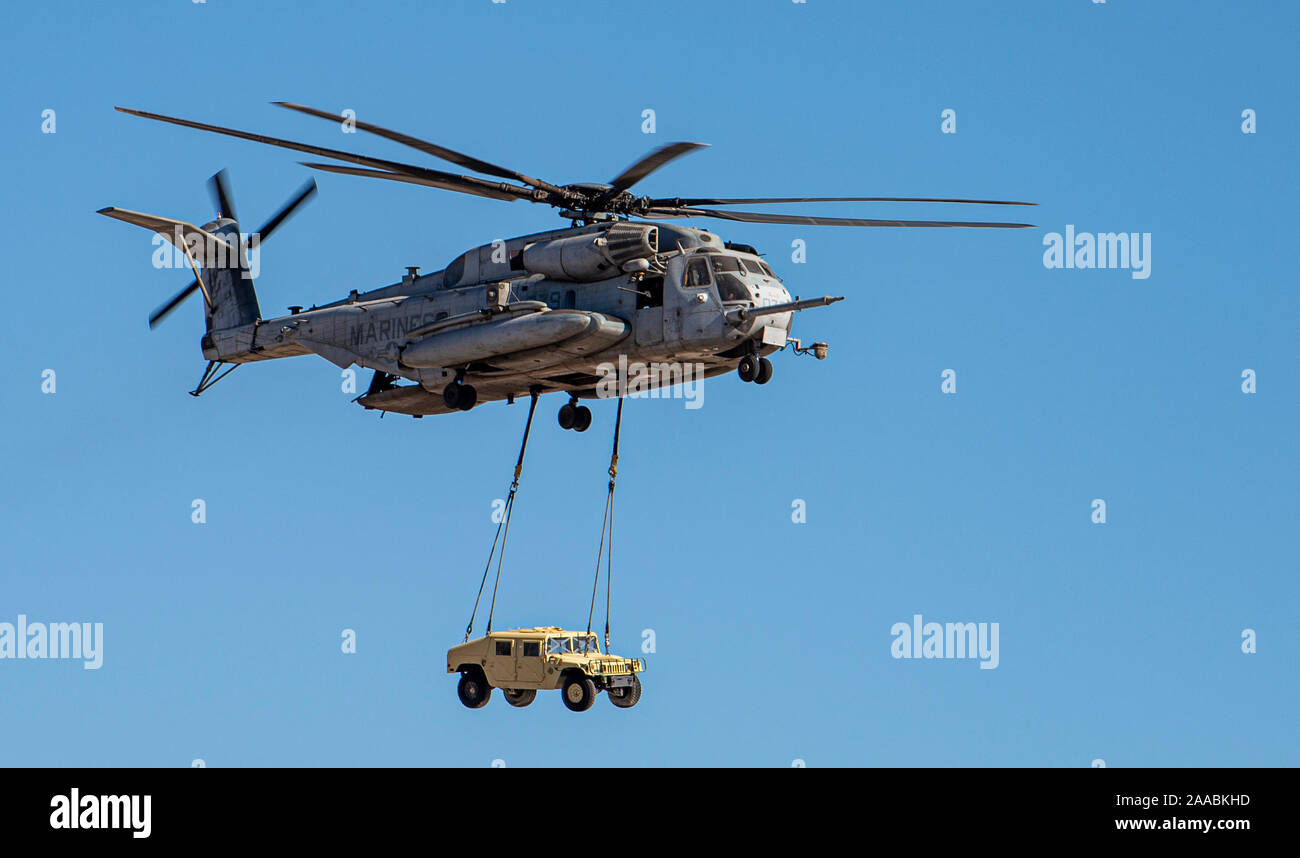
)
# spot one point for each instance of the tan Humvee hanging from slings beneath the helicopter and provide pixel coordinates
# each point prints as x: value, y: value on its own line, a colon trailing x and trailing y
x: 521, y: 662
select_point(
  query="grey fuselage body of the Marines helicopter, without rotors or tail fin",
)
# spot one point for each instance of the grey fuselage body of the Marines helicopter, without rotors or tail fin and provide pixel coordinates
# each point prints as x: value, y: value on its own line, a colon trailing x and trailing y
x: 545, y: 313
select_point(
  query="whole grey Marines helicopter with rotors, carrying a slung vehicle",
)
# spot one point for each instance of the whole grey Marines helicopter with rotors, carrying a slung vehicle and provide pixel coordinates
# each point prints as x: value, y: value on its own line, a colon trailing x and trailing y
x: 527, y: 315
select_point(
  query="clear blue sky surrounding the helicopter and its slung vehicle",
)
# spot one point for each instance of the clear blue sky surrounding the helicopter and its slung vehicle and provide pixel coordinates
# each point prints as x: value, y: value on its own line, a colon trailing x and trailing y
x: 1119, y: 642
